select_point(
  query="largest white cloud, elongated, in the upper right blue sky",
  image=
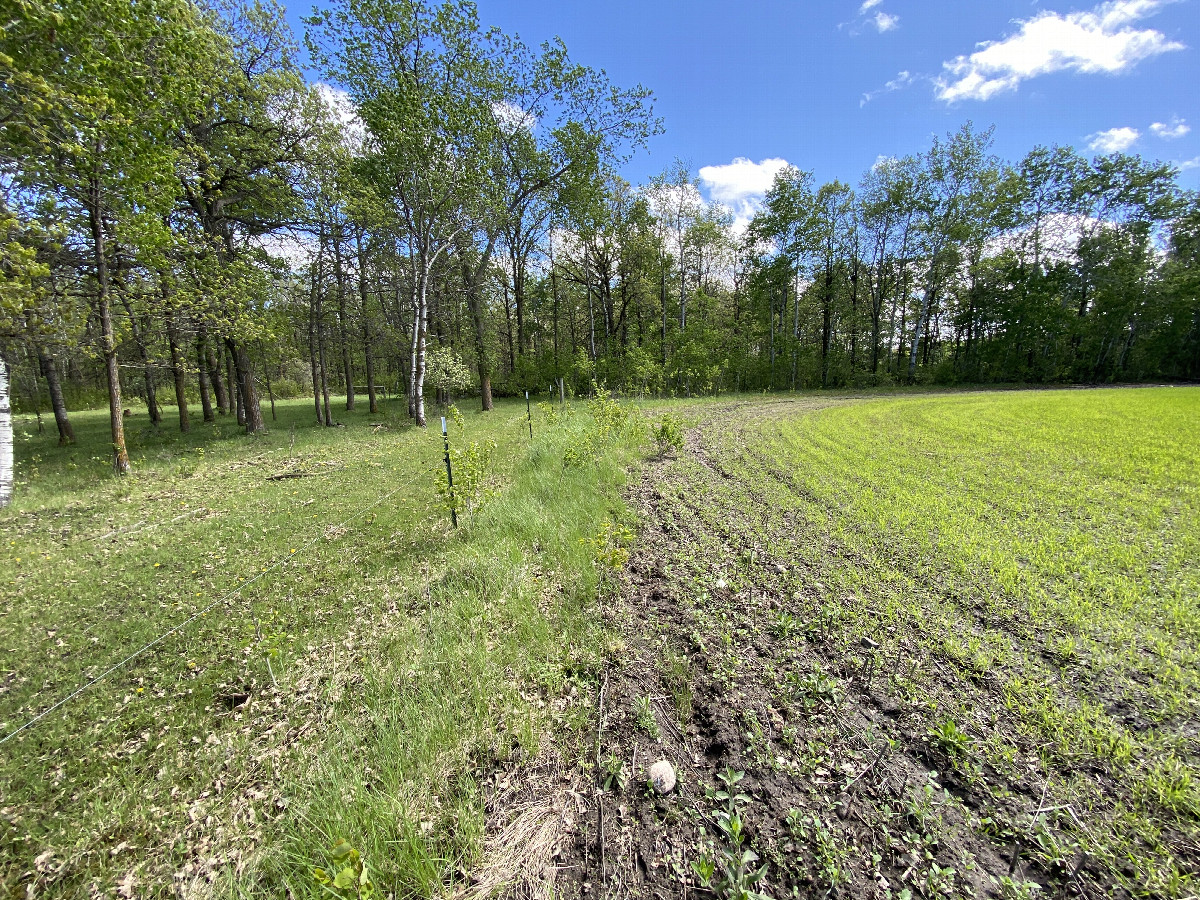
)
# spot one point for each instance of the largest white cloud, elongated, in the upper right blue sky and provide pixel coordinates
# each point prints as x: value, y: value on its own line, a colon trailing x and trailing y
x: 1090, y: 43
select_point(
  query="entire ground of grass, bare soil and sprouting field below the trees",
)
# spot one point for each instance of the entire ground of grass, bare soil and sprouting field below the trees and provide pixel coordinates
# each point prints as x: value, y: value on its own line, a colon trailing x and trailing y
x: 911, y: 646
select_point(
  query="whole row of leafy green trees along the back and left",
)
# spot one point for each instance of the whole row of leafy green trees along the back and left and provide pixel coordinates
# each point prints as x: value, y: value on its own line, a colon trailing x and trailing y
x: 187, y: 220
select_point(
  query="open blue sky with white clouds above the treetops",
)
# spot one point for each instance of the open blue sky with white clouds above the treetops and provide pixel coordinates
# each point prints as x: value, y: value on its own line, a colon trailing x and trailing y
x: 831, y: 86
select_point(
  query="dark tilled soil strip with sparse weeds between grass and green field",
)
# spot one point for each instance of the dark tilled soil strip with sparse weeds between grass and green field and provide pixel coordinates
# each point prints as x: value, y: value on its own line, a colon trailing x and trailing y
x: 727, y: 669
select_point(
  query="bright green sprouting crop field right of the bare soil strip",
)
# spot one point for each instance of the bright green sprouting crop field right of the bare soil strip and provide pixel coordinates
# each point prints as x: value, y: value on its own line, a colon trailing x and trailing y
x: 1034, y: 562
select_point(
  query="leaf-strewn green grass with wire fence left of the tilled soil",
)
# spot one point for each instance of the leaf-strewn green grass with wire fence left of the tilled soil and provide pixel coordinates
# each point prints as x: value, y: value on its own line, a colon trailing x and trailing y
x: 359, y: 689
